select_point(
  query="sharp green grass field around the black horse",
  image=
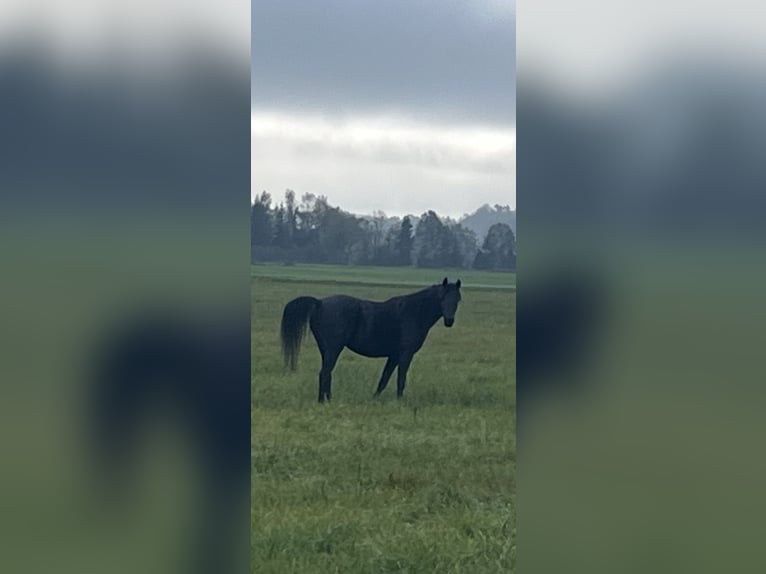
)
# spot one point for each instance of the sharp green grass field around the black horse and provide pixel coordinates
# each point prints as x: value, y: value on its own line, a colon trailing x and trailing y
x: 426, y: 484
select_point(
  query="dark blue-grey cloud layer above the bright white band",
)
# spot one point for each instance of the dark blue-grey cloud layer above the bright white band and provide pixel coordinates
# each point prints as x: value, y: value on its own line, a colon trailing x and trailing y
x: 437, y: 60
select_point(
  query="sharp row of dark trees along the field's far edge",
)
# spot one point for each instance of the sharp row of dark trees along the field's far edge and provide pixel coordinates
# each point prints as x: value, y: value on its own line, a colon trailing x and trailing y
x: 313, y: 231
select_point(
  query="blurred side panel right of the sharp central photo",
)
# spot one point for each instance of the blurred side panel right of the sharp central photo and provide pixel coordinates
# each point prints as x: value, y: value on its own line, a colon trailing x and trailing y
x: 641, y: 181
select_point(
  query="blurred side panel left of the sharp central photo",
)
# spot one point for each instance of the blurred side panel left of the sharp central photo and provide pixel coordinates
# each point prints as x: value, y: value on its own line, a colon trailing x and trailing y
x: 124, y: 336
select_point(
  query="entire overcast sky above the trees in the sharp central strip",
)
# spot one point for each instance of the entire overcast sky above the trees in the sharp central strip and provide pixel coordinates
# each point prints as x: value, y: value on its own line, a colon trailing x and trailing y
x: 399, y: 105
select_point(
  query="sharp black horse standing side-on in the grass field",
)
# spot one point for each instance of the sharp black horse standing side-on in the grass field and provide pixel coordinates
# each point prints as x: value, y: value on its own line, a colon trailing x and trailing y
x: 395, y: 329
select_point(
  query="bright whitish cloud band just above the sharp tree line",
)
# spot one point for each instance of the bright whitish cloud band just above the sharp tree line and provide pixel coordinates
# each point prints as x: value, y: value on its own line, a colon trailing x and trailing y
x: 383, y: 162
